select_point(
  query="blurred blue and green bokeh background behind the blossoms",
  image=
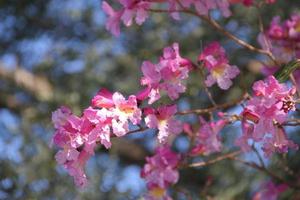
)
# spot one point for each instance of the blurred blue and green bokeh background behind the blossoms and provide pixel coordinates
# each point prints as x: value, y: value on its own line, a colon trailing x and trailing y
x: 55, y: 52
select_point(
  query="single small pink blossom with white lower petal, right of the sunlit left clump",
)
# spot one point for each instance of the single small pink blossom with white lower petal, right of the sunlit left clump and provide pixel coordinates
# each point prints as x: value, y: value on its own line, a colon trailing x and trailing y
x: 163, y: 119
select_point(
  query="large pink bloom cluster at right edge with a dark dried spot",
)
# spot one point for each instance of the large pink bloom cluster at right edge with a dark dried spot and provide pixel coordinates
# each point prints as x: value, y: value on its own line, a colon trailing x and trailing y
x: 264, y: 114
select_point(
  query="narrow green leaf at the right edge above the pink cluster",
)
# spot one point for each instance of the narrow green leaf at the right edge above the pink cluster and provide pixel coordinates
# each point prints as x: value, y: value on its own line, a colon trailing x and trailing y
x: 284, y: 72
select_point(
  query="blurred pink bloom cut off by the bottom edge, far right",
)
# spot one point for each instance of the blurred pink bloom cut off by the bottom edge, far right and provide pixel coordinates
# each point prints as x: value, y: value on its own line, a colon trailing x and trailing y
x: 270, y: 191
